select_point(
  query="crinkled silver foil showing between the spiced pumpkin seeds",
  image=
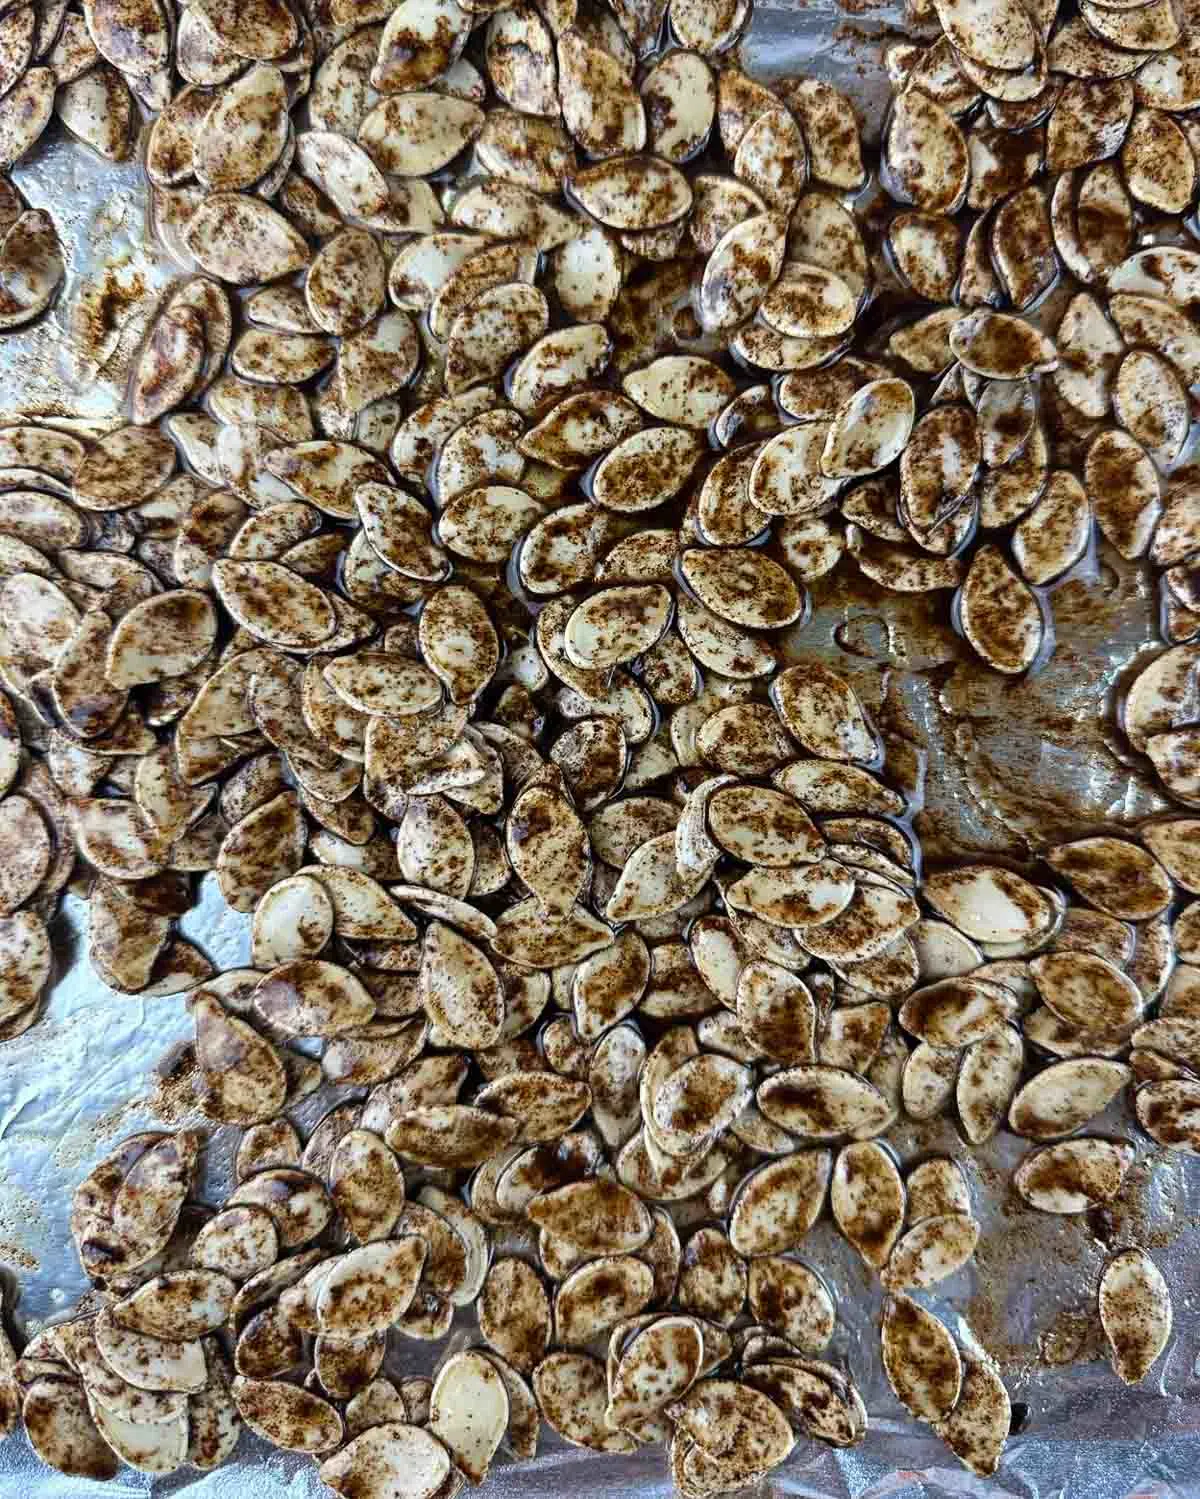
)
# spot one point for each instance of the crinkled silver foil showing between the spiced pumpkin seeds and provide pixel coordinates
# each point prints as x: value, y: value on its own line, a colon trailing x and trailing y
x: 991, y: 765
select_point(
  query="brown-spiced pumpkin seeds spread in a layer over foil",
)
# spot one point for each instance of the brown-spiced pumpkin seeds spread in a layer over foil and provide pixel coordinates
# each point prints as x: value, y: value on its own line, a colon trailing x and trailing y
x: 444, y: 599
